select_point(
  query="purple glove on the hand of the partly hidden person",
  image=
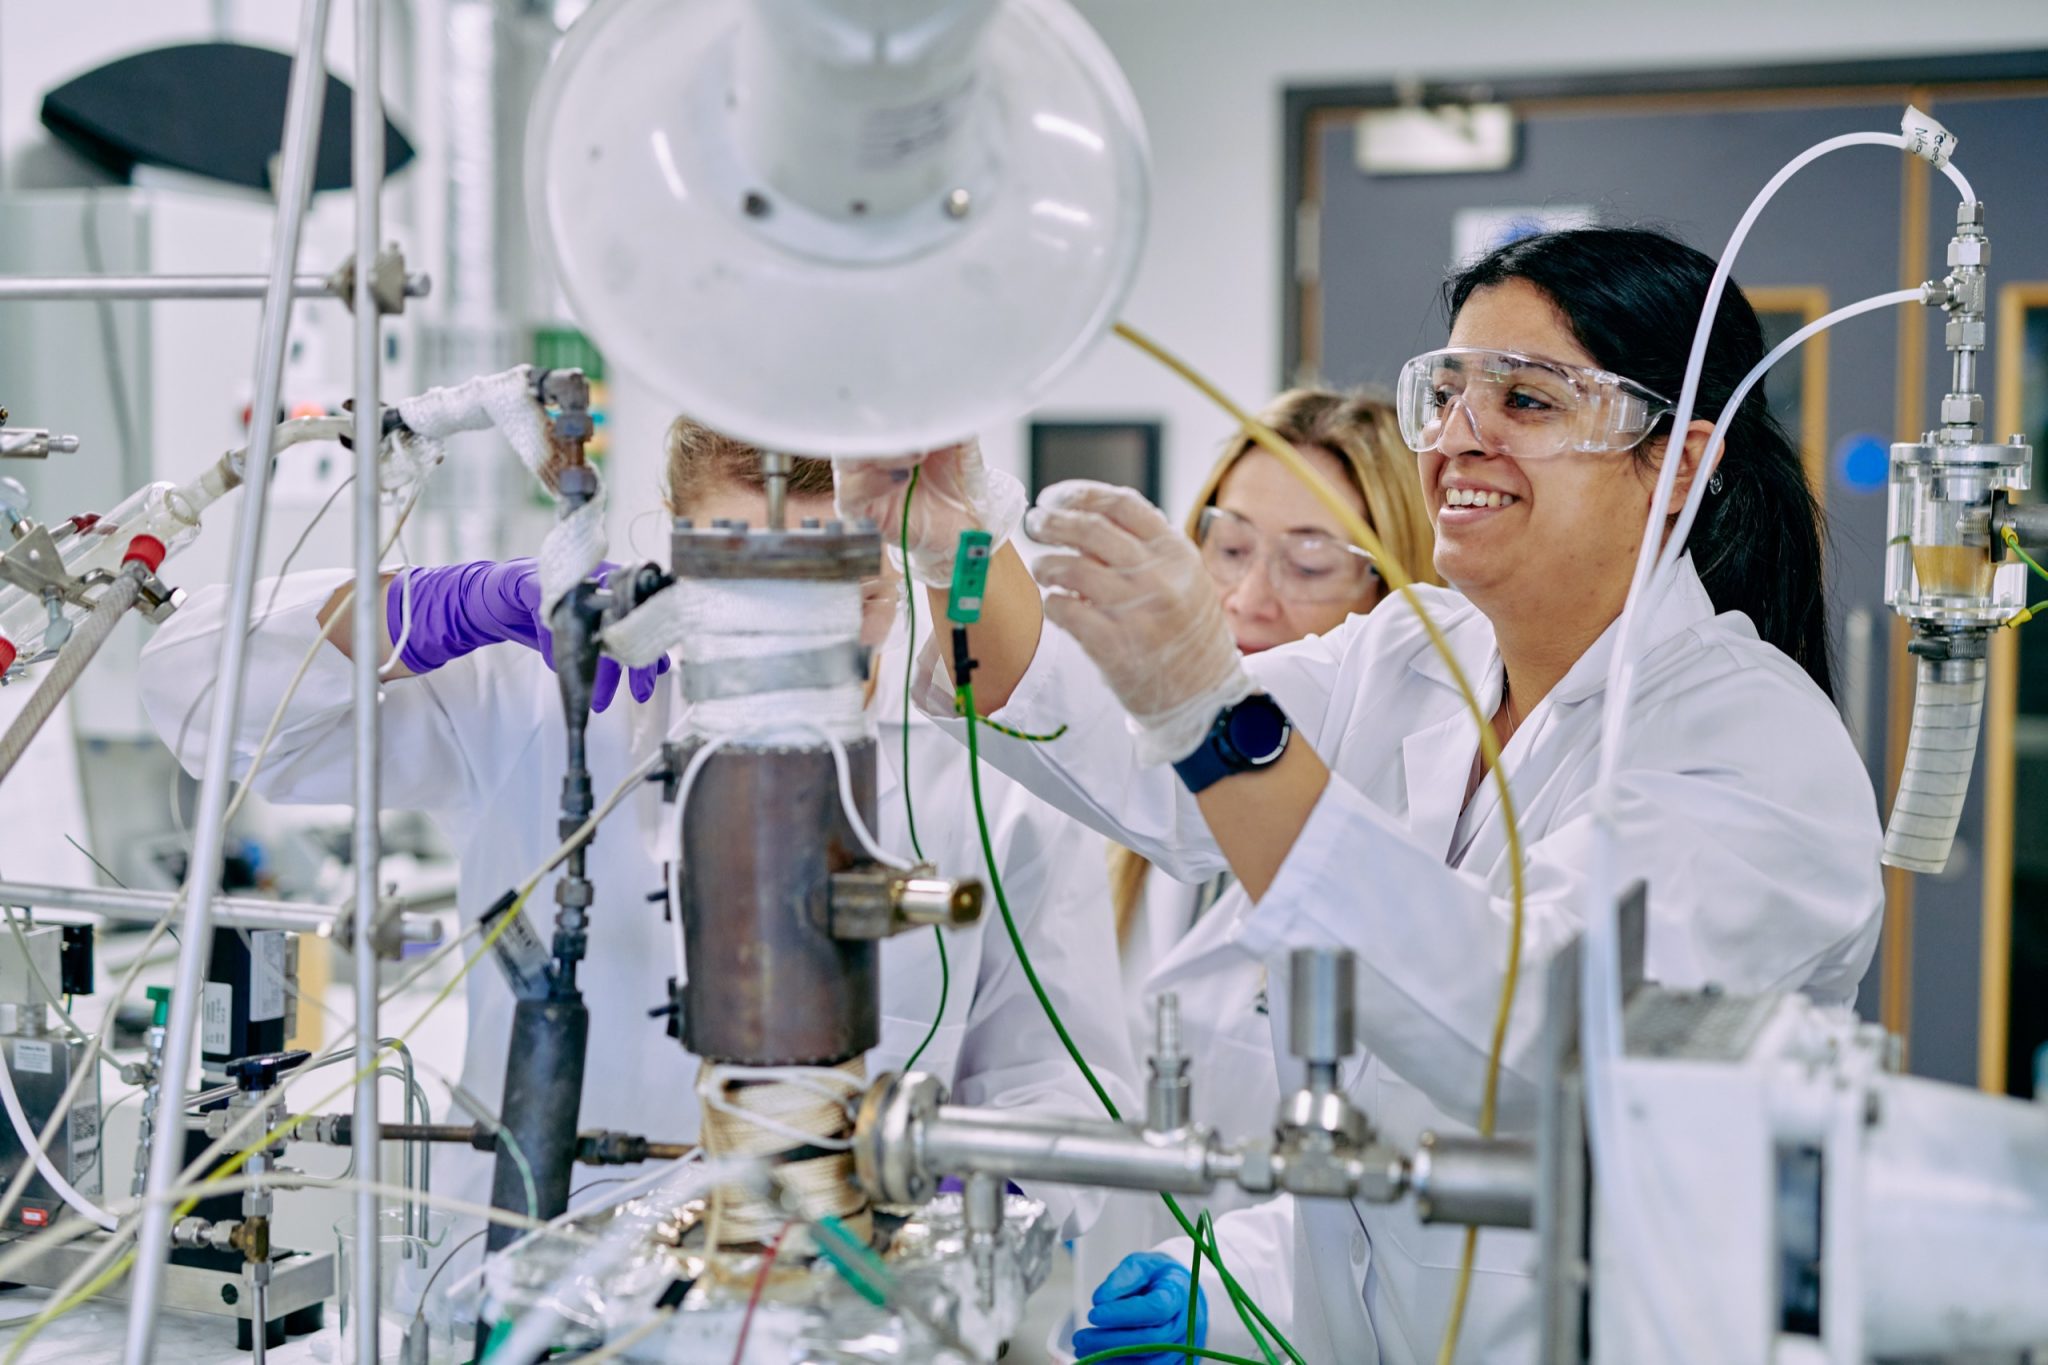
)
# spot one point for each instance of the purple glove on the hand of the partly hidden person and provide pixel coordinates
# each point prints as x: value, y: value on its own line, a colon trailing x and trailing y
x: 462, y: 609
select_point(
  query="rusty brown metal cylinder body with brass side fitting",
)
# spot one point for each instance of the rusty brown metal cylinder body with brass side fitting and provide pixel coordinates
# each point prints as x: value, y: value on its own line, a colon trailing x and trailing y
x: 761, y: 840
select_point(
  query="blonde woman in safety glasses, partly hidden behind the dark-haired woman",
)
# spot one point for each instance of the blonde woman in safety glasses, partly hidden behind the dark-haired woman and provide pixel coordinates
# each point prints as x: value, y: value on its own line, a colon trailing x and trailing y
x: 1285, y: 572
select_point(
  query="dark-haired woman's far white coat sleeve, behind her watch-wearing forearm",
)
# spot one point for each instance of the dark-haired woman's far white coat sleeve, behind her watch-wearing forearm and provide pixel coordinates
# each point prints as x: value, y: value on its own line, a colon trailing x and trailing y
x: 1093, y: 770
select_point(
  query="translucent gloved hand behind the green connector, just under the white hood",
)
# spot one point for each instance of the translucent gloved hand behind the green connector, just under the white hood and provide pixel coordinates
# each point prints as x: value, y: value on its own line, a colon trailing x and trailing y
x: 955, y: 492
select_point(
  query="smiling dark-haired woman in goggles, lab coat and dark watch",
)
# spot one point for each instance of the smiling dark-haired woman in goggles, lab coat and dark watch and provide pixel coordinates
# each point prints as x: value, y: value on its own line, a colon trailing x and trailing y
x: 1340, y: 781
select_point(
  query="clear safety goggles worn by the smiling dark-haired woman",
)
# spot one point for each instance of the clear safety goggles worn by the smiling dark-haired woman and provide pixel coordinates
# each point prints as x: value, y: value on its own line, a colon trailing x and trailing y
x: 1510, y: 404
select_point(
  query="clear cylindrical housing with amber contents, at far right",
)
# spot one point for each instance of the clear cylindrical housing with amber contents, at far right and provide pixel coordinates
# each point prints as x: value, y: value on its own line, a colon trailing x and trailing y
x: 1940, y: 562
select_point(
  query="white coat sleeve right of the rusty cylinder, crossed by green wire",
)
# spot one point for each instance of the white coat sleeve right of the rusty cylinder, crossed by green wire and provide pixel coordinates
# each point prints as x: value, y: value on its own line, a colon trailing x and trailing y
x: 1011, y: 1059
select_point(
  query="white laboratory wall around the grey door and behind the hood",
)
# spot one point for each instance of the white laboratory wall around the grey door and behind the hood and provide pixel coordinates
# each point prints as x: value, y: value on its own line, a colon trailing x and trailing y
x: 1209, y: 77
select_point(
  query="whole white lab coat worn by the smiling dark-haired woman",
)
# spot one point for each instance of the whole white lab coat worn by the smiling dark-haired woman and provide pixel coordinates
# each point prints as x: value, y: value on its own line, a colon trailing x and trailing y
x: 1742, y: 803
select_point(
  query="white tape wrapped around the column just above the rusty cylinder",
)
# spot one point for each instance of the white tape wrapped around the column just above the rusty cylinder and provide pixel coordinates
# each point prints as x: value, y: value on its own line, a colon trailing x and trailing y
x: 749, y: 619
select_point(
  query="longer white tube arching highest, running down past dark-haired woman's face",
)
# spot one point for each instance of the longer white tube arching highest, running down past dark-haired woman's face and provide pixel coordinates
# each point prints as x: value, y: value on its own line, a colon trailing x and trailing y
x: 1601, y: 985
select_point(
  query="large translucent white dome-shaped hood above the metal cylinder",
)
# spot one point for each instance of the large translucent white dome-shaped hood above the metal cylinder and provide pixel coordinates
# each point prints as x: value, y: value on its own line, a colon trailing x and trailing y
x: 724, y: 251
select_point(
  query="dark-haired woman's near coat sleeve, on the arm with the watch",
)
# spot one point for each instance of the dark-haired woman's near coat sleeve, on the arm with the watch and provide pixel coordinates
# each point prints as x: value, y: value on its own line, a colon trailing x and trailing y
x: 1750, y: 818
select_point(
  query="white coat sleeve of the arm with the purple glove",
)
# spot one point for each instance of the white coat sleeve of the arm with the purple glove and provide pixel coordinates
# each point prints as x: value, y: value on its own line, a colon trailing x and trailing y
x: 447, y: 738
